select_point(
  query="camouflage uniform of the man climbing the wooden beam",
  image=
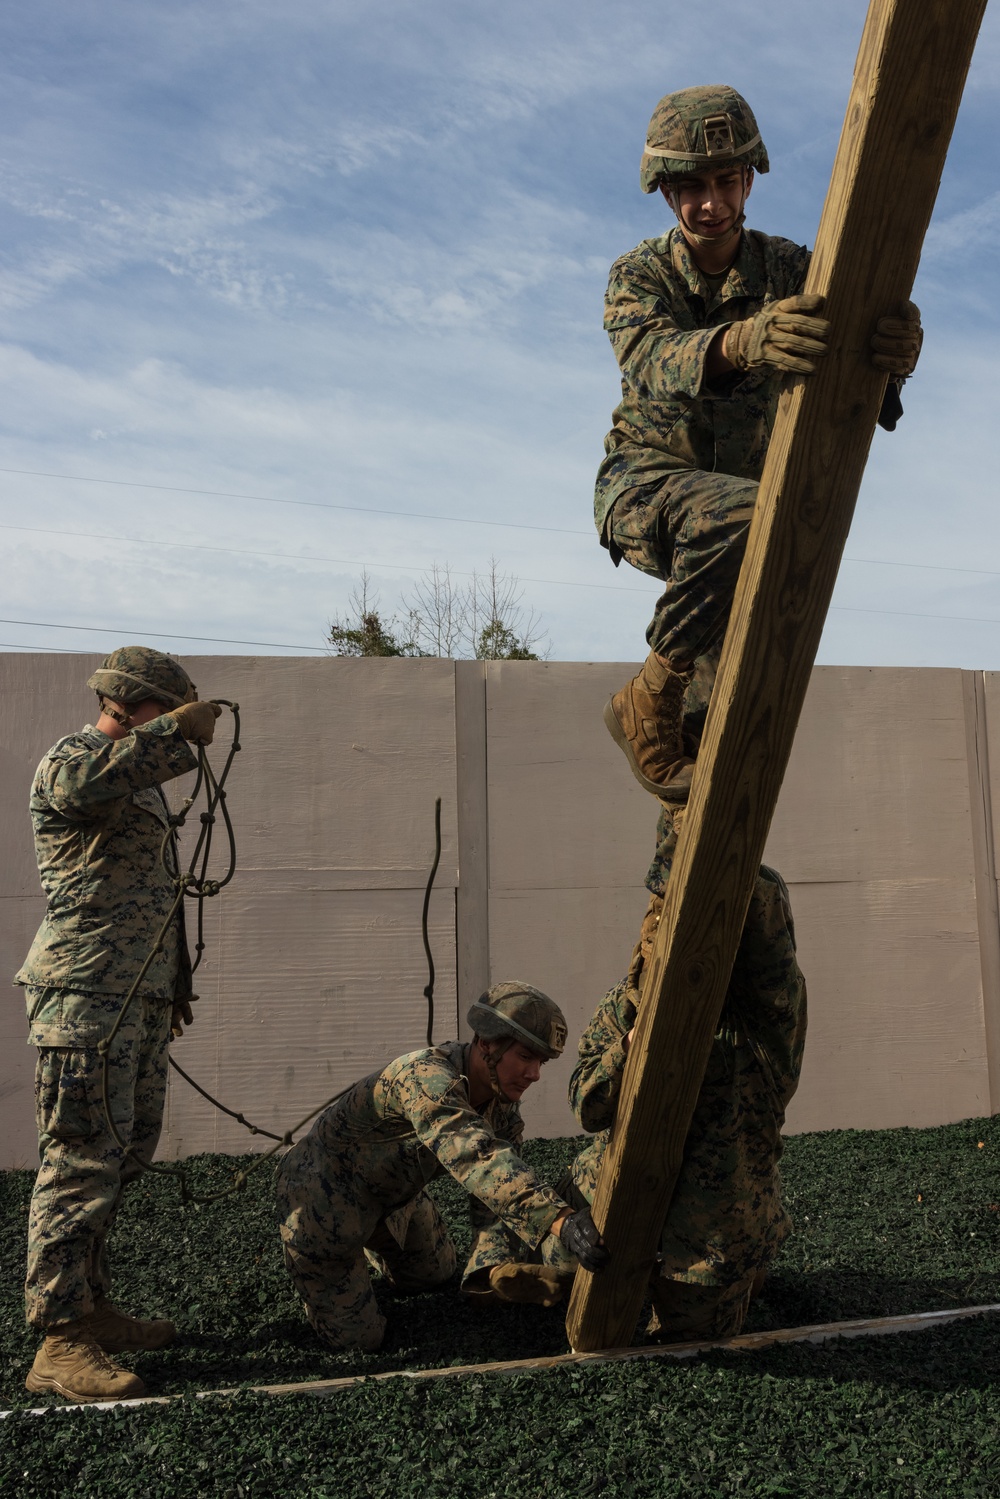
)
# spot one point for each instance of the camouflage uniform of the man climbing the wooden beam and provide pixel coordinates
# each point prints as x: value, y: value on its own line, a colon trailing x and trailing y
x: 677, y: 489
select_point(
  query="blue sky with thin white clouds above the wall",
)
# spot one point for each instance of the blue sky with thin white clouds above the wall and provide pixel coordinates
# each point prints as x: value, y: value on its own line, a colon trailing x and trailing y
x: 352, y: 257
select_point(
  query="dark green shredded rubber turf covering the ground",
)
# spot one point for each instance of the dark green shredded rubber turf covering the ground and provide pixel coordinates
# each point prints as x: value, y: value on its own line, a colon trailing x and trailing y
x: 887, y: 1222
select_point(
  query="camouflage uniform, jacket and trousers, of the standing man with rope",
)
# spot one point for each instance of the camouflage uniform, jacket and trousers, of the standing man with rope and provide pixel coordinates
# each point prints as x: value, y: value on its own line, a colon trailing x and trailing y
x: 100, y: 824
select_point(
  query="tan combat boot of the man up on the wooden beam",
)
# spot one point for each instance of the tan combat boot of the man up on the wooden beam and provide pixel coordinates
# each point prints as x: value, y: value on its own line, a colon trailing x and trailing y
x: 645, y: 720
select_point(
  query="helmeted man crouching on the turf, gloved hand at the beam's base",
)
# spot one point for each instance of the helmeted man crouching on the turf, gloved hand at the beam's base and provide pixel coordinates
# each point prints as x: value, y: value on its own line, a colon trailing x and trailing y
x: 353, y: 1191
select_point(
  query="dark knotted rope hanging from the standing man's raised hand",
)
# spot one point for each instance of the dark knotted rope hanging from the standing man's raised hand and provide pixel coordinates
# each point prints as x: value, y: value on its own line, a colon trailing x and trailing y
x: 194, y: 884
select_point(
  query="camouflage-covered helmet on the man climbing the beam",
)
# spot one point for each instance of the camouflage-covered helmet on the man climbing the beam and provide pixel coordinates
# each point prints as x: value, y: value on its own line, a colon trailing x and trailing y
x: 696, y: 130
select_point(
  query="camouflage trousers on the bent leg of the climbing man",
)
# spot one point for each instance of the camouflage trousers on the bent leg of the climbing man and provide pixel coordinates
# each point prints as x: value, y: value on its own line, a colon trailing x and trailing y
x: 692, y: 533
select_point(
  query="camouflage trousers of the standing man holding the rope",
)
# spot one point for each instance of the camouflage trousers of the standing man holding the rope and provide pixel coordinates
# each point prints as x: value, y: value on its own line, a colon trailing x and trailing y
x: 83, y: 1173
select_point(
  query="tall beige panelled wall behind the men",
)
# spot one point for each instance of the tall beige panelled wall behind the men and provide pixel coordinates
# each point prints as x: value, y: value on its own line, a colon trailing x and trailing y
x: 314, y: 969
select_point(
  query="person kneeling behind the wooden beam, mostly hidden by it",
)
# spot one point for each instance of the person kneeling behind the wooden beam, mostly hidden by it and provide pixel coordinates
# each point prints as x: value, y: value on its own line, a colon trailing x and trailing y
x: 726, y: 1219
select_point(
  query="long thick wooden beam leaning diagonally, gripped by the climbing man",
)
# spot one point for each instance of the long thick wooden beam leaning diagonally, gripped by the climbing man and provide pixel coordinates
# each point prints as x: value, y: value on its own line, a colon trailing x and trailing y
x: 908, y: 86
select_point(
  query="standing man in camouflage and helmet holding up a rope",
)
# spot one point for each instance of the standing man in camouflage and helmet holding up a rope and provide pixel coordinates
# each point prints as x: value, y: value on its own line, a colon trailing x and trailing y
x: 100, y: 824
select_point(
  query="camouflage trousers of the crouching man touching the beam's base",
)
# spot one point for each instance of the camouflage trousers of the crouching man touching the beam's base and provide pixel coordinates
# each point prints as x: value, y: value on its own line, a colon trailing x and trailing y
x: 334, y: 1231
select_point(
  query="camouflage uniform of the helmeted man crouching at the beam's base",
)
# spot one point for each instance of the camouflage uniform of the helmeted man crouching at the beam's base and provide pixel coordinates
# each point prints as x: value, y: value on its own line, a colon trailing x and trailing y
x: 355, y: 1188
